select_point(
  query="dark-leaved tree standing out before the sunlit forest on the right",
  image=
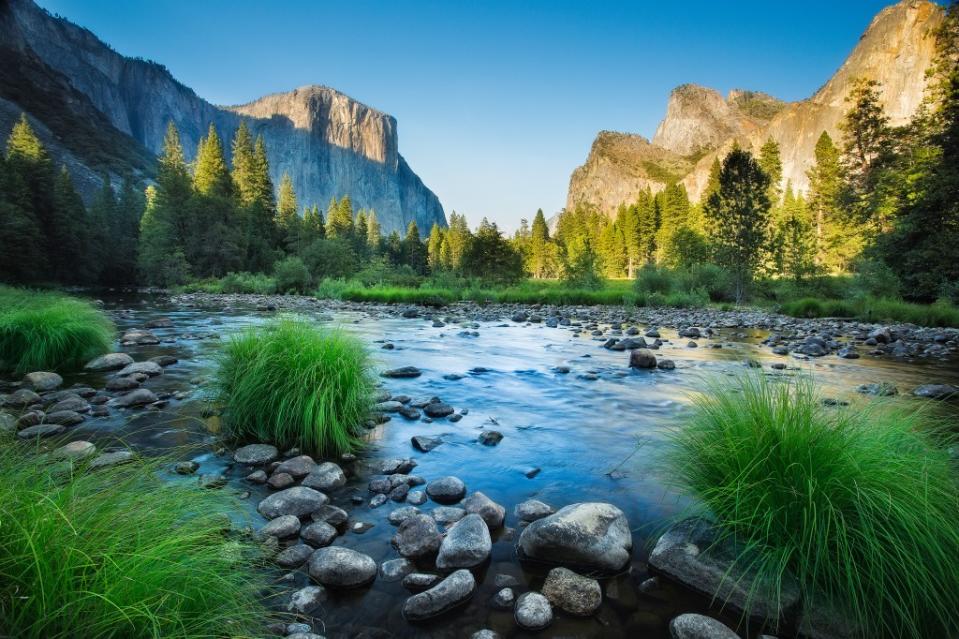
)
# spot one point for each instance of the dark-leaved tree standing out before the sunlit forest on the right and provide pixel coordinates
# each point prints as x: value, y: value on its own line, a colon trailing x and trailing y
x: 738, y: 218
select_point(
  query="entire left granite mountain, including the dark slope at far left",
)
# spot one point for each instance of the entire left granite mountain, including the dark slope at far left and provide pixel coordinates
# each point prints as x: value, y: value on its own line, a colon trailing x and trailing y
x: 330, y: 144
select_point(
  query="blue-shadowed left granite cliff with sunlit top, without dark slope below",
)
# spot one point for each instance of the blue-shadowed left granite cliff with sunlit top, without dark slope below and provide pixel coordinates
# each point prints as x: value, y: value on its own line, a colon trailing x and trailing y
x: 330, y: 144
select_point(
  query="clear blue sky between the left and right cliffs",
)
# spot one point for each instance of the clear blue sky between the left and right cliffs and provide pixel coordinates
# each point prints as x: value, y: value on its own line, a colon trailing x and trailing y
x: 497, y: 102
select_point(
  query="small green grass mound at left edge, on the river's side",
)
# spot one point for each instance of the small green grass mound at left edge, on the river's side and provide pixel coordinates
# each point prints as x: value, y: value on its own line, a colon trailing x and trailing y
x: 47, y: 331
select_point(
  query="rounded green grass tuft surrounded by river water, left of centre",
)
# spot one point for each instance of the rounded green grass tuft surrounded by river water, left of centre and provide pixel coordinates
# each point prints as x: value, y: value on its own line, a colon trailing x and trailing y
x: 293, y: 384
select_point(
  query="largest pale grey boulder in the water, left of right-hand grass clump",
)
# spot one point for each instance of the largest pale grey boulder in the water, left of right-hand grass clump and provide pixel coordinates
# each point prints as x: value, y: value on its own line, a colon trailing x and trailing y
x: 594, y: 536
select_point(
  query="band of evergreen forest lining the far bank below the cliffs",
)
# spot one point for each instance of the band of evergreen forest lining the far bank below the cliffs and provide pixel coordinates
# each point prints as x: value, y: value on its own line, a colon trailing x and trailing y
x: 882, y: 201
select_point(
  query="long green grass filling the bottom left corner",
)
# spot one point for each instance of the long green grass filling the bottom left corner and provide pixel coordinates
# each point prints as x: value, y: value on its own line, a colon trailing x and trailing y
x: 119, y: 553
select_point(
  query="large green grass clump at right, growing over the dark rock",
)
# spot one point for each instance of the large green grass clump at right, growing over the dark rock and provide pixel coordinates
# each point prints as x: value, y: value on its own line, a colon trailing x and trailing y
x: 861, y: 505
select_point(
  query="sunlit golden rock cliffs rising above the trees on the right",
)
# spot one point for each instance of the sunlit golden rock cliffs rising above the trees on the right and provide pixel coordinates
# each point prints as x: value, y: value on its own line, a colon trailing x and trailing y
x: 896, y: 49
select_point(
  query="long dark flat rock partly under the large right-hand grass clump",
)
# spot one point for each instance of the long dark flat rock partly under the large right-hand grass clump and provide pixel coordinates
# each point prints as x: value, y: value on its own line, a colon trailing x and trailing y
x: 692, y: 554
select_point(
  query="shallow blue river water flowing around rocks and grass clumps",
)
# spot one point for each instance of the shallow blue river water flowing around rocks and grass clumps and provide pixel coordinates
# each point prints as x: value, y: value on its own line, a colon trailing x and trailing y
x: 591, y: 439
